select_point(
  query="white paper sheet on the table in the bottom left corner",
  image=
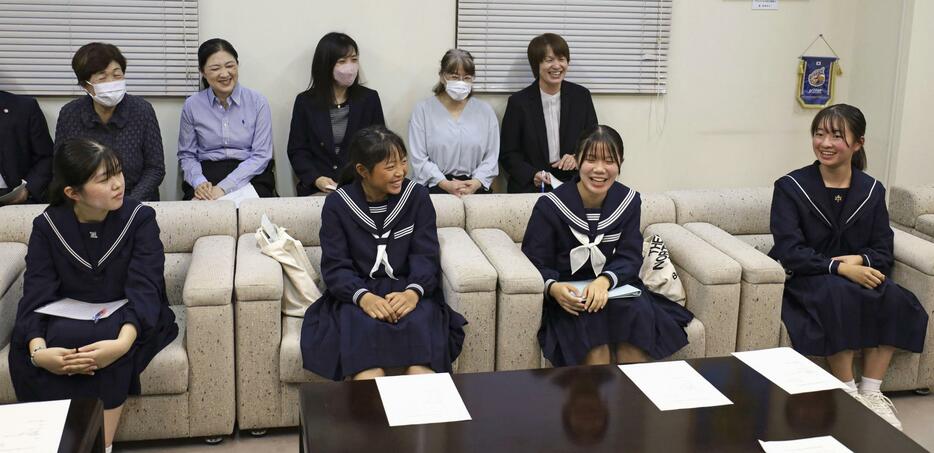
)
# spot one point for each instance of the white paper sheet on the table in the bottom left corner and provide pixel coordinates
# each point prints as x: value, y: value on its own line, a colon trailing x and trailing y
x: 32, y: 427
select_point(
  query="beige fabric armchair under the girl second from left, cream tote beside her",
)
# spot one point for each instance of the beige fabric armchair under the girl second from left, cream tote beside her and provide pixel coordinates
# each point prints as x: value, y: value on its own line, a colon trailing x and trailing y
x: 268, y: 353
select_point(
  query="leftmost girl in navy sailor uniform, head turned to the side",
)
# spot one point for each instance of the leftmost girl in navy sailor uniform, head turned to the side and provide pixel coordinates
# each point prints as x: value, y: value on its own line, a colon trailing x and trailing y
x: 91, y: 245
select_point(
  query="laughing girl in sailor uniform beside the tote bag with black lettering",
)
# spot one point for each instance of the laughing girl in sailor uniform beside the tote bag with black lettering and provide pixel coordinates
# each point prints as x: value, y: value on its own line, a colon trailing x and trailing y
x: 588, y: 228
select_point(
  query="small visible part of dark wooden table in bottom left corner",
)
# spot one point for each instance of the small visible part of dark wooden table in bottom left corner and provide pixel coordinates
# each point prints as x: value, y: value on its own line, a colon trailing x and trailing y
x: 84, y: 427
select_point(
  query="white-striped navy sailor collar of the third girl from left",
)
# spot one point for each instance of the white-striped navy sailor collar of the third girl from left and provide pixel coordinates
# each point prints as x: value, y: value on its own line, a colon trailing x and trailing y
x: 567, y: 203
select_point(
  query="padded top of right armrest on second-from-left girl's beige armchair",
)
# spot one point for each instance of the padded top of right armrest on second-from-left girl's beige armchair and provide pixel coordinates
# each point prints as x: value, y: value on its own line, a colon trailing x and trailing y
x: 463, y: 264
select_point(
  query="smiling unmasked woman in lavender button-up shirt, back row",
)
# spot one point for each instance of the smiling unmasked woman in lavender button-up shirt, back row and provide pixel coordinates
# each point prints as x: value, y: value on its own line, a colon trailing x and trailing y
x: 225, y: 137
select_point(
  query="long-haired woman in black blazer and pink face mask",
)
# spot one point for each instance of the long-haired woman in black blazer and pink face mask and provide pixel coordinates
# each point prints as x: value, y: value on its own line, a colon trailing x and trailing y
x: 327, y: 114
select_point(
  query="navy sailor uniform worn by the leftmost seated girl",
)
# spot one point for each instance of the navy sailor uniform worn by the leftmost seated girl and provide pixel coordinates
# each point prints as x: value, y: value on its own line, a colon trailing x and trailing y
x: 125, y: 261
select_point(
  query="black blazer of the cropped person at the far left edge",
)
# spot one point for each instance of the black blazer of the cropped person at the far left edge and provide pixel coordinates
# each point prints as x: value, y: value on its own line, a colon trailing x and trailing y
x: 25, y: 145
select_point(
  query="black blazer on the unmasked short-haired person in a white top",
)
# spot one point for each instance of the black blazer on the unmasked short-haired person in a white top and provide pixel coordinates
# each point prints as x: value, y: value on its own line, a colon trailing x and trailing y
x: 523, y: 145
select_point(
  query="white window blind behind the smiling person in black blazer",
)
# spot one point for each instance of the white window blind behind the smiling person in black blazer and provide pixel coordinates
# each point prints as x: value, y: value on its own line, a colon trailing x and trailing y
x: 617, y: 46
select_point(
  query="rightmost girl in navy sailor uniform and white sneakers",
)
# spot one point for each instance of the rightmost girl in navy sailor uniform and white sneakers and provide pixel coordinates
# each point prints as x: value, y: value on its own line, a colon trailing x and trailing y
x: 832, y: 236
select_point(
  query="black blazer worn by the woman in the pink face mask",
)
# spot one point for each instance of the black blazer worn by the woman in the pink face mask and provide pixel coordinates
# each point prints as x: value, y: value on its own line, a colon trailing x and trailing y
x: 311, y: 143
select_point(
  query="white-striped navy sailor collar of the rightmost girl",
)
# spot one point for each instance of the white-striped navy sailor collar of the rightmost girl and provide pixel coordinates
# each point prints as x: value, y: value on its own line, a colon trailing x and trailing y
x: 808, y: 183
